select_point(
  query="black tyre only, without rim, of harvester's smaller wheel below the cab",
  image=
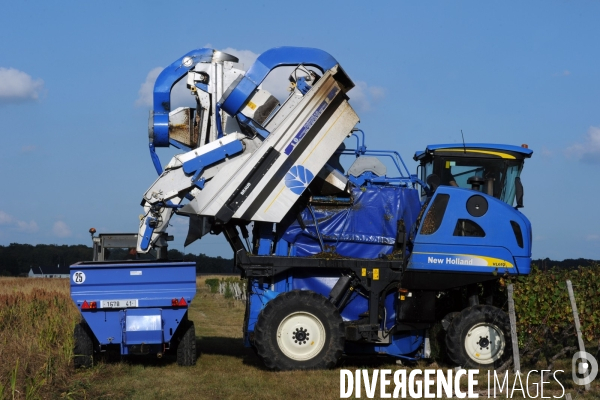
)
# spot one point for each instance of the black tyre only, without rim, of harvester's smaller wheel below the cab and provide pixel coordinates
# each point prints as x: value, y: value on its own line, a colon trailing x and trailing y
x: 468, y: 319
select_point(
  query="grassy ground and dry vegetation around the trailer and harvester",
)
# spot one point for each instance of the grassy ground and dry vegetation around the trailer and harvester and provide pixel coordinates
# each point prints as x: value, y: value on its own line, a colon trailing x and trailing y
x: 36, y: 323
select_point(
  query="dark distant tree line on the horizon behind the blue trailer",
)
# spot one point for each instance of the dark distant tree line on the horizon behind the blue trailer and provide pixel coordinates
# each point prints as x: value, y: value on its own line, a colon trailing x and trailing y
x: 16, y: 259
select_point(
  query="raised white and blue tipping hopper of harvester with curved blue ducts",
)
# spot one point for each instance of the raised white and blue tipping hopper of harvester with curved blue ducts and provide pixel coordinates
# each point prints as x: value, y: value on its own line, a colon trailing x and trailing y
x: 246, y: 156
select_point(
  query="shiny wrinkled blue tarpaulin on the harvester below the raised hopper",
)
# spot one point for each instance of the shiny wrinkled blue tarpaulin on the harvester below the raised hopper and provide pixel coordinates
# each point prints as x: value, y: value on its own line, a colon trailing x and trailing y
x: 366, y: 229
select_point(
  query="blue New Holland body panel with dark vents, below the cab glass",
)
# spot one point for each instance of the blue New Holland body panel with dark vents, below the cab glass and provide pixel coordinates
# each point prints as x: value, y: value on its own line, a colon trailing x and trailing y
x: 467, y: 231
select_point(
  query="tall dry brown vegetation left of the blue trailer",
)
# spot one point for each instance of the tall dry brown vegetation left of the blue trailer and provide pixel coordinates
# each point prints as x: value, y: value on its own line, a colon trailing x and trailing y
x: 36, y: 337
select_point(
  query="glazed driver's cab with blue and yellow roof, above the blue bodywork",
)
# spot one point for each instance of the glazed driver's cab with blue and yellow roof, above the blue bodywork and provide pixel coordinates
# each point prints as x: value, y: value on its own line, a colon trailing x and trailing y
x: 489, y: 168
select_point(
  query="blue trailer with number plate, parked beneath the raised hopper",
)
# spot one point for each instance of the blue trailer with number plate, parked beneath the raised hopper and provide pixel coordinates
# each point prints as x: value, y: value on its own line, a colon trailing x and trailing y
x: 134, y: 307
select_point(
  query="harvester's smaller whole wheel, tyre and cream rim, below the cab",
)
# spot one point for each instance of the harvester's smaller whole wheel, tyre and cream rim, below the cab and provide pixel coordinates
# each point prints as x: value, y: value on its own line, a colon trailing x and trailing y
x: 479, y: 337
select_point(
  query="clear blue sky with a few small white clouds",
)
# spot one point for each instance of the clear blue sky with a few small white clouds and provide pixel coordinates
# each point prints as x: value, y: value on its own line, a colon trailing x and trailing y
x: 73, y: 108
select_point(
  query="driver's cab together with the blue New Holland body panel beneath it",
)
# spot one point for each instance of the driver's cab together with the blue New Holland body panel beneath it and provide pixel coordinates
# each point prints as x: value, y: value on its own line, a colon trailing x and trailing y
x: 469, y: 224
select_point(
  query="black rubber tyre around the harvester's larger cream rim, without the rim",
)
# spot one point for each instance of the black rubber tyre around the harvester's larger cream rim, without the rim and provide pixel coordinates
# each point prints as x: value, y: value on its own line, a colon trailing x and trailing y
x: 285, y: 306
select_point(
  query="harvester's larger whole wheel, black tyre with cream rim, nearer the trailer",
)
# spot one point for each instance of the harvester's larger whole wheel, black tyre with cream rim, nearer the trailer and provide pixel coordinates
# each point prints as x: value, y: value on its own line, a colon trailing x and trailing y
x: 299, y: 330
